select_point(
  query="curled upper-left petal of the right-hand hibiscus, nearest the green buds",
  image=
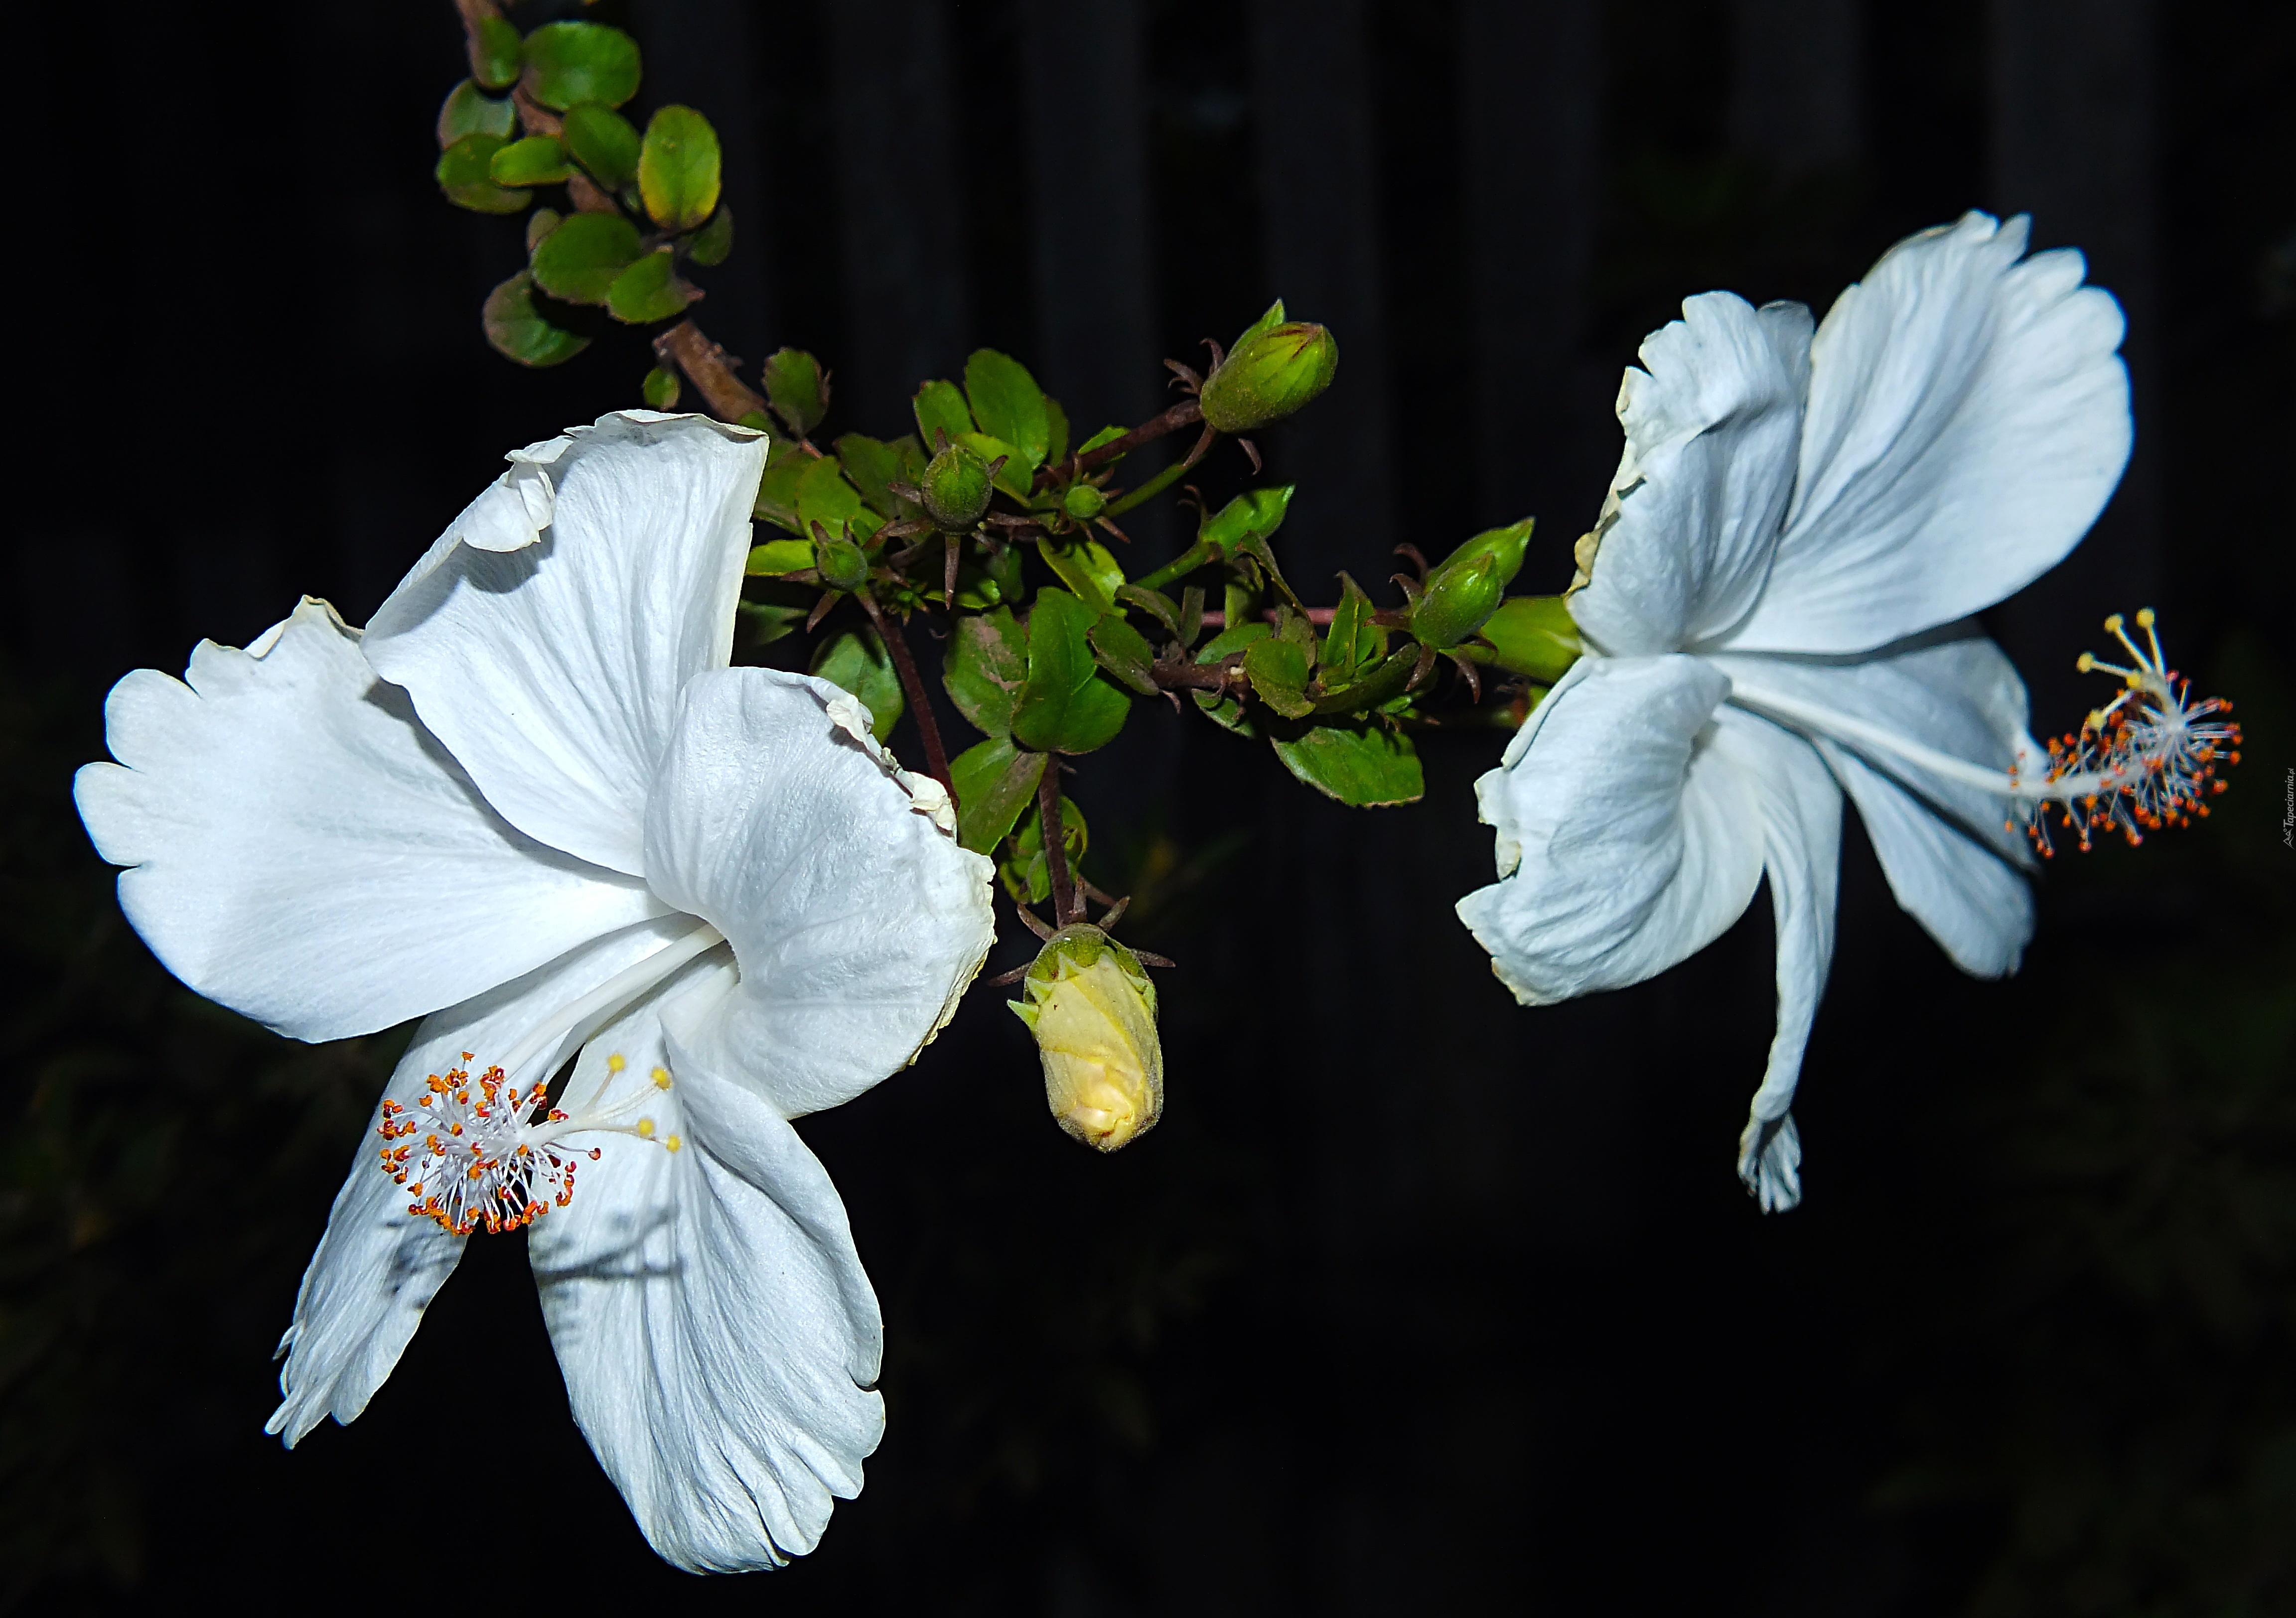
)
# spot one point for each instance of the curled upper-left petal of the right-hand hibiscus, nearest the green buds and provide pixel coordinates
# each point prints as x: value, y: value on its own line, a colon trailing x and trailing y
x: 1702, y: 490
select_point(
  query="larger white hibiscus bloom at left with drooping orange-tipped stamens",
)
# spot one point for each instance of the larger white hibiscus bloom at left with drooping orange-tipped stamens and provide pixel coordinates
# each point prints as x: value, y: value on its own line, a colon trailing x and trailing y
x: 534, y: 807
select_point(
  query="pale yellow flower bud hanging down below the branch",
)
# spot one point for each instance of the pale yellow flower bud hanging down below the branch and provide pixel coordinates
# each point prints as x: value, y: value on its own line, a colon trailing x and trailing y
x: 1092, y: 1011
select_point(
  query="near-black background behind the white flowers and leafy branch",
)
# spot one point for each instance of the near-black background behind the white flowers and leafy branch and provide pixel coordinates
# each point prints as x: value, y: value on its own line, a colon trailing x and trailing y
x: 1415, y: 1302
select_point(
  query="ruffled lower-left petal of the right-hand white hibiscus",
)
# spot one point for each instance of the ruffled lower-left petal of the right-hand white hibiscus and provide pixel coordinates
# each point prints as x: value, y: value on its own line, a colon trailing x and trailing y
x: 1636, y: 843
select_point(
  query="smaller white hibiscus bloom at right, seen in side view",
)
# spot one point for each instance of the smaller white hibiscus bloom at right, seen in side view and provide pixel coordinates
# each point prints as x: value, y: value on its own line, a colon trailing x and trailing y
x: 1776, y: 612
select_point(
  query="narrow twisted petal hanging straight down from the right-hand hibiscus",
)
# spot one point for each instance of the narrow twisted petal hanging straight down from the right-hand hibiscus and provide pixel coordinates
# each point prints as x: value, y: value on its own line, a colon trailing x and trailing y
x: 1801, y: 857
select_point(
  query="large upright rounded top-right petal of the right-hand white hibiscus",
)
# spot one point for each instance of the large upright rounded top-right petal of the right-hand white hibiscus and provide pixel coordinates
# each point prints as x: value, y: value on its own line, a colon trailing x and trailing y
x: 1969, y: 419
